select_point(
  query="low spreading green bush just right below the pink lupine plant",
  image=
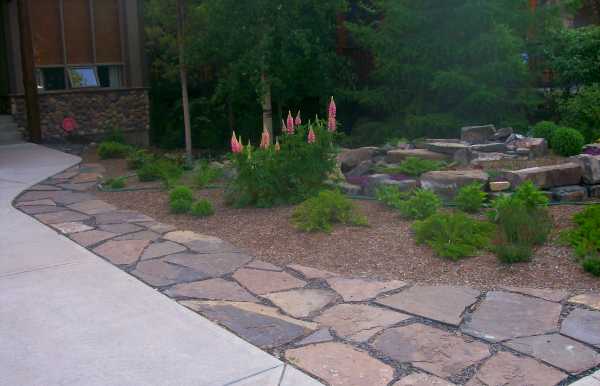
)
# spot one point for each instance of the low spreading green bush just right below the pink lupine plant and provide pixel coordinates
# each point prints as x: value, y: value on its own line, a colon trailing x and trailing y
x: 321, y: 212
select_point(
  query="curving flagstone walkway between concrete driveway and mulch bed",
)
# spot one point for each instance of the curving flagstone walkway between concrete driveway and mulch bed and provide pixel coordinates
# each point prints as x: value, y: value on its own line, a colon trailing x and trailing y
x: 347, y: 331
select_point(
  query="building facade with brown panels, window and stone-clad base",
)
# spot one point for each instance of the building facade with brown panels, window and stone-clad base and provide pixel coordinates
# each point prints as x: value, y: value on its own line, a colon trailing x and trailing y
x: 87, y: 62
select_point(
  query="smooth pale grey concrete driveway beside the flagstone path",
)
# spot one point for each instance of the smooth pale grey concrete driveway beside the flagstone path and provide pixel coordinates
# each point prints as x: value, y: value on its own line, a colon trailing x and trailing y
x: 69, y: 318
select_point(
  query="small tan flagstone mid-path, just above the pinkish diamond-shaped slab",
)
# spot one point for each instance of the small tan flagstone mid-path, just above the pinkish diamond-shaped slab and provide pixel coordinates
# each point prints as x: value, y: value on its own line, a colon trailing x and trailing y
x: 301, y: 303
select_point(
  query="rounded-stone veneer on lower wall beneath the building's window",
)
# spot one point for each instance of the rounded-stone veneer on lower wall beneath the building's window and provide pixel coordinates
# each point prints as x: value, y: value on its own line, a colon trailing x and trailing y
x: 95, y: 112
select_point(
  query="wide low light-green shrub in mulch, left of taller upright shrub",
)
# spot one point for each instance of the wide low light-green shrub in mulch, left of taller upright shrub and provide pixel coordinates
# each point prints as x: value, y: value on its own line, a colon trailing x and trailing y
x: 453, y: 235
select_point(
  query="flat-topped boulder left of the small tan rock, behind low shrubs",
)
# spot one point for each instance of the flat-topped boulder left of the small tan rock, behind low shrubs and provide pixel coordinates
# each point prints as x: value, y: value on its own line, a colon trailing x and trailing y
x: 447, y: 183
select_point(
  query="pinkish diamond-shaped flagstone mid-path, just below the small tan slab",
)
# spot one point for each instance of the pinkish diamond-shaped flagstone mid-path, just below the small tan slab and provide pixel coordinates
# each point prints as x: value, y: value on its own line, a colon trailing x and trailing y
x: 359, y: 322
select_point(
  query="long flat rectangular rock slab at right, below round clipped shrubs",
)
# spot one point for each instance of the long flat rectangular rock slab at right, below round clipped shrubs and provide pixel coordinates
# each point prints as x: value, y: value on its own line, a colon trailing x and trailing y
x: 547, y: 176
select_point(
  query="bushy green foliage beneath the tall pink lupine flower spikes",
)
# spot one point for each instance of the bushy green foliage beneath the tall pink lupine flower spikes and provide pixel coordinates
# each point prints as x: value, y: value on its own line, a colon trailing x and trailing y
x: 267, y: 177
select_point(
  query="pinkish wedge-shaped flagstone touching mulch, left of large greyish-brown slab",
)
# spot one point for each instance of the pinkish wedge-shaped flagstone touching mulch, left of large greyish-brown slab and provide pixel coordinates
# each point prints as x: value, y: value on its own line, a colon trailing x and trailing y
x: 357, y: 289
